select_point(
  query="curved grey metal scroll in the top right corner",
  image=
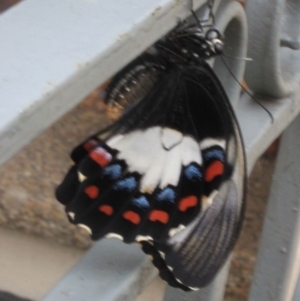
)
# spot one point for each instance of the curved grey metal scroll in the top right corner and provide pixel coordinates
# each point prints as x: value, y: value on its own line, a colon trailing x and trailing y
x: 274, y: 32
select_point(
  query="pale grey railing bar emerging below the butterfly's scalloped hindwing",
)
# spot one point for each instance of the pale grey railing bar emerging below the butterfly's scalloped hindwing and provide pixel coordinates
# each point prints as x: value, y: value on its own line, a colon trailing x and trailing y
x: 110, y: 271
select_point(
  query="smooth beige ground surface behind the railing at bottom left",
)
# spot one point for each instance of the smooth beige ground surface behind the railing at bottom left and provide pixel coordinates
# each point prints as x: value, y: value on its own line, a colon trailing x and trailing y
x: 30, y: 266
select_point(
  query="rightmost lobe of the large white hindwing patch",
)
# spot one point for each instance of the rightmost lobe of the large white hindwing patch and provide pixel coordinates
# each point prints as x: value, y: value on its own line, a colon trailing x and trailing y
x: 190, y: 151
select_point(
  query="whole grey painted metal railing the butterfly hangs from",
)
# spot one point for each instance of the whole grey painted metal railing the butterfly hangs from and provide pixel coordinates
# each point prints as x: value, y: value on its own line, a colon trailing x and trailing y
x: 72, y: 46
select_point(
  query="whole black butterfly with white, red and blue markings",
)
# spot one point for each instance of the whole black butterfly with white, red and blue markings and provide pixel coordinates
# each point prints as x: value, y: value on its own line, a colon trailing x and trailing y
x: 170, y: 173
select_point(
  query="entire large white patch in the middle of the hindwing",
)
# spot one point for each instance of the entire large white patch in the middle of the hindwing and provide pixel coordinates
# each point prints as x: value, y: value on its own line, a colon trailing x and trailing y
x: 144, y: 152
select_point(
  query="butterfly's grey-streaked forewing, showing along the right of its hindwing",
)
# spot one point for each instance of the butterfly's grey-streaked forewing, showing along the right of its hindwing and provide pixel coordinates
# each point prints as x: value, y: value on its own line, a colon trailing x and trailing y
x: 196, y: 254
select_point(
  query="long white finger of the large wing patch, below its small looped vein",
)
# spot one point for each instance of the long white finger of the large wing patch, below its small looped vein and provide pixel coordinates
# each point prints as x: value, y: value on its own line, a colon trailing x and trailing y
x: 172, y: 170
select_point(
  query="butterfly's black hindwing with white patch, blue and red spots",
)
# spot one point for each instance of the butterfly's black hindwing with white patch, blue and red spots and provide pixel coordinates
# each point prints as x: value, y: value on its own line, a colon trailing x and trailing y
x: 136, y: 177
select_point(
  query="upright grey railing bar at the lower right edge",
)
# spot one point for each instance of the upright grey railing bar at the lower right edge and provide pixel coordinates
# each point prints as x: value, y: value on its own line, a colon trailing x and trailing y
x: 278, y: 265
